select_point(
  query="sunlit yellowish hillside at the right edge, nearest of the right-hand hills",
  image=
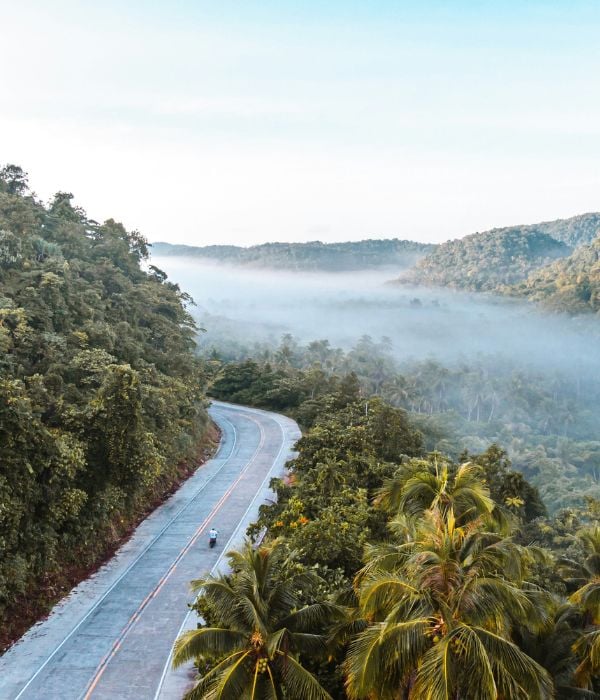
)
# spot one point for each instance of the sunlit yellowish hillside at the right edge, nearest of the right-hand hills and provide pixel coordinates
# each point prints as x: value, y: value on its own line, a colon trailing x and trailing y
x: 571, y: 284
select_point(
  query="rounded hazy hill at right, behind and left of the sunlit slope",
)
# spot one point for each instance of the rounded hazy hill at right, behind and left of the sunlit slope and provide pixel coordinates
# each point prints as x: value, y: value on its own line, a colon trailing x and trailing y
x: 487, y: 261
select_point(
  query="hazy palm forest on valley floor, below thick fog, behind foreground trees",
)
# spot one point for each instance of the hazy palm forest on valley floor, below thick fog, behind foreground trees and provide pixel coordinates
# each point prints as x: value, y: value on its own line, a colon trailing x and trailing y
x: 548, y: 423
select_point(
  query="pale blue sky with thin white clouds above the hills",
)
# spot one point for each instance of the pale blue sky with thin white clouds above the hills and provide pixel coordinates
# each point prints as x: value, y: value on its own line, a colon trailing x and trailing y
x: 243, y: 122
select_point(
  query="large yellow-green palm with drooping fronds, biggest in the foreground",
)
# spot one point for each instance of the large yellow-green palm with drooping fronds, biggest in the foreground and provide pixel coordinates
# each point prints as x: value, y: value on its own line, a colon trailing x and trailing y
x: 440, y: 622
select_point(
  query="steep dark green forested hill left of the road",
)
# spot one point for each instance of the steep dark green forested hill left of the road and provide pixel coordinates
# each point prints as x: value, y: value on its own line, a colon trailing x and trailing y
x: 99, y: 387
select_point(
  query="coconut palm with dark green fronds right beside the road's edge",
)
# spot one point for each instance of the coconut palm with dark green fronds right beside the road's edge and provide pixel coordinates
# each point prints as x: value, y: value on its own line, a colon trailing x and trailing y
x: 258, y: 629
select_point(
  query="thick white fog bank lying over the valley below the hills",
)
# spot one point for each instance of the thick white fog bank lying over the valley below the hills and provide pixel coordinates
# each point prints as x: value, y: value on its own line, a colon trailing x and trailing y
x: 250, y: 306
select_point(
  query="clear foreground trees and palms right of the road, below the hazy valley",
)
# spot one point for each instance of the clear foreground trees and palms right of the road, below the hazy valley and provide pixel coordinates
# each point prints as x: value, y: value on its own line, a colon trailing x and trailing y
x: 425, y: 577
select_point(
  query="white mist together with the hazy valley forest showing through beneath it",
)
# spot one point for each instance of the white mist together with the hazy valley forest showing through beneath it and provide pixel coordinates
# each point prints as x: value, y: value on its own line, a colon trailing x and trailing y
x: 472, y: 370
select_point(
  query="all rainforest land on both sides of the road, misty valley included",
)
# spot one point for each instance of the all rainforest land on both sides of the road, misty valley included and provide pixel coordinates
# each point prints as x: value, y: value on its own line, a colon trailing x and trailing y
x: 437, y: 534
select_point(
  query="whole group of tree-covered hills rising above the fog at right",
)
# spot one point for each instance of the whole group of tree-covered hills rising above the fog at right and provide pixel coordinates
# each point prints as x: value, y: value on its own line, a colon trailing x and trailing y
x: 535, y: 262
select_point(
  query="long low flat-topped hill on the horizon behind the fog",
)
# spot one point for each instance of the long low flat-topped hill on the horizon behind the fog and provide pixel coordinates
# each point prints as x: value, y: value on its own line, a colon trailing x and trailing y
x: 332, y: 257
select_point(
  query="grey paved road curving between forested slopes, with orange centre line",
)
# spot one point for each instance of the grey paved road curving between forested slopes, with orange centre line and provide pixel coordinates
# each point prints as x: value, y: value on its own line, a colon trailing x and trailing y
x: 112, y: 636
